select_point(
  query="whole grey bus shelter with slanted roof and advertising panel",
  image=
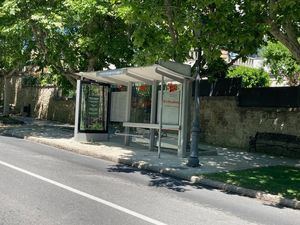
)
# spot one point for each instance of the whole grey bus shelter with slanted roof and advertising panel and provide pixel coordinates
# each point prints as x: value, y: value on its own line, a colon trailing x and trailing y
x: 97, y: 105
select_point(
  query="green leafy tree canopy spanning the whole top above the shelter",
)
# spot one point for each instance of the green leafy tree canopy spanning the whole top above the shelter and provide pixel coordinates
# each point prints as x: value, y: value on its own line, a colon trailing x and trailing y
x: 67, y: 36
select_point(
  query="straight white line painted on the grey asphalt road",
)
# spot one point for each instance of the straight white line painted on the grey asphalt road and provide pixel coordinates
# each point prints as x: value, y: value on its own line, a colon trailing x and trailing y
x: 84, y: 194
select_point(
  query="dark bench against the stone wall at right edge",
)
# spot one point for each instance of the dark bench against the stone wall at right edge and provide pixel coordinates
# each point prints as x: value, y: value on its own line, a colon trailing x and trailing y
x: 275, y: 144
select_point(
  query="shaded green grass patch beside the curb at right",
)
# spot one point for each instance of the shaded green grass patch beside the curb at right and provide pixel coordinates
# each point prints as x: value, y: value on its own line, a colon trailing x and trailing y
x: 278, y: 180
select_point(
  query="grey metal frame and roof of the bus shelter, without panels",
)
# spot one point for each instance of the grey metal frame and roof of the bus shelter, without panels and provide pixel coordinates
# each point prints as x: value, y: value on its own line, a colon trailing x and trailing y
x: 153, y: 75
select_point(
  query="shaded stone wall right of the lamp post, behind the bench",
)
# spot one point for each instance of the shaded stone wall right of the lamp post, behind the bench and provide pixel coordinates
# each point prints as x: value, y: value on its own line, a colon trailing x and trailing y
x: 224, y: 123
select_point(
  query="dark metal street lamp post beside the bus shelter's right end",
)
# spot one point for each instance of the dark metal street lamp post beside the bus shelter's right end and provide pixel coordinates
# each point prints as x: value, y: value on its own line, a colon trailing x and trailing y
x: 193, y: 160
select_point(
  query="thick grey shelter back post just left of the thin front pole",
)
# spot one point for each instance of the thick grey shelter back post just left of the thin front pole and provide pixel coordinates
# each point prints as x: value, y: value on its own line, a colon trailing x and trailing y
x: 153, y: 114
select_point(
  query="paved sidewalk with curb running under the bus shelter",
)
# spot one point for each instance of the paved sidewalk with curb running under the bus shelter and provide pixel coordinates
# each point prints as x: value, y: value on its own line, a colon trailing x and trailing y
x: 61, y: 136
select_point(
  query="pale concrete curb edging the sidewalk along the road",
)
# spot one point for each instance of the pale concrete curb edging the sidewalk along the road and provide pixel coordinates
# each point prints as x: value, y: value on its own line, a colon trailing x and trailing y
x: 177, y: 173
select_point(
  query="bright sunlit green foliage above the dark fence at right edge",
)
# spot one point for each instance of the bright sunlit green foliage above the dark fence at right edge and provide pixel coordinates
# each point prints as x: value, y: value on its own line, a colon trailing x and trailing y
x: 282, y: 63
